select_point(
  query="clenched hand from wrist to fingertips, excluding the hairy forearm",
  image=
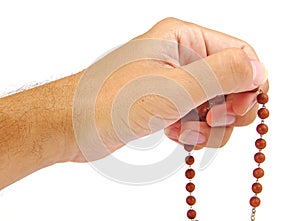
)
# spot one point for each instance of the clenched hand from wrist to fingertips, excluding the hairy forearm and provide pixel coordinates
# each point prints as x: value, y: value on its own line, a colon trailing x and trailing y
x: 158, y: 81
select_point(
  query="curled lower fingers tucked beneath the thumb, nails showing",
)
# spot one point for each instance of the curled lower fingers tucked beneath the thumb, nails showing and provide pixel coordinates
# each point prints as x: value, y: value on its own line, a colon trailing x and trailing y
x: 219, y: 124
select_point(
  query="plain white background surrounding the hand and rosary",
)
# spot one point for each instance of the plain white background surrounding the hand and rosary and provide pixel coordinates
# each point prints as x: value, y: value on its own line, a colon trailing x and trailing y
x: 43, y: 40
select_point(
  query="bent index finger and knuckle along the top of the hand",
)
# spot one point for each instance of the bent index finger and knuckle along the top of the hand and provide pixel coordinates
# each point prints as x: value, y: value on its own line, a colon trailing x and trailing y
x: 202, y: 40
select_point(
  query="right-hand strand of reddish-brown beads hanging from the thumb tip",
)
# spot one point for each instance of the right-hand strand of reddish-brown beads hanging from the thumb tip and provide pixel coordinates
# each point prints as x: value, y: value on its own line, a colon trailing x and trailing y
x: 259, y: 157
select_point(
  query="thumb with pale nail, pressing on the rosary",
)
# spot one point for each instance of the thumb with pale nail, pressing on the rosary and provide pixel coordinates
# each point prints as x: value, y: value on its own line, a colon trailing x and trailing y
x: 226, y: 72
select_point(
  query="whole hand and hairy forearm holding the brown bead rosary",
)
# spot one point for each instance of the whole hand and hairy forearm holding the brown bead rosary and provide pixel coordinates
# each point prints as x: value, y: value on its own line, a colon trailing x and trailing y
x: 157, y: 80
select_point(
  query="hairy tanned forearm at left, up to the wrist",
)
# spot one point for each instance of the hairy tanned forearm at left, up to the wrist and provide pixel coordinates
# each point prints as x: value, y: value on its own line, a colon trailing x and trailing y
x: 36, y: 129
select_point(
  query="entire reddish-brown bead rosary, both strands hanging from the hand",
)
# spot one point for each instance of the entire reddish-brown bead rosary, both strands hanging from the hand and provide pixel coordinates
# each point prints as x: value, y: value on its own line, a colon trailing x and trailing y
x: 259, y: 157
